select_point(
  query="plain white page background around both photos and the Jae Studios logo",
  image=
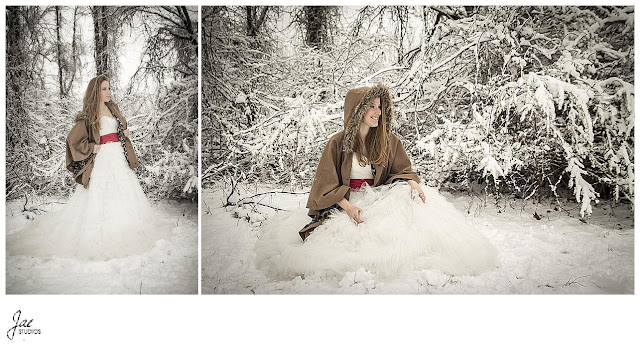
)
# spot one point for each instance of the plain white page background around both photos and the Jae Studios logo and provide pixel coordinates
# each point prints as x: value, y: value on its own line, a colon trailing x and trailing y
x: 294, y: 321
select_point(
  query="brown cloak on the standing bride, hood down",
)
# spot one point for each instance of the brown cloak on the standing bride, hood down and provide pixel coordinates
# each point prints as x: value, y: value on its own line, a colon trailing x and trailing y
x: 83, y: 137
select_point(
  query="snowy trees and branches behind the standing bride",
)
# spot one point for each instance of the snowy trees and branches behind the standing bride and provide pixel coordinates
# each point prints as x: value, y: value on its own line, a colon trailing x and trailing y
x: 151, y: 56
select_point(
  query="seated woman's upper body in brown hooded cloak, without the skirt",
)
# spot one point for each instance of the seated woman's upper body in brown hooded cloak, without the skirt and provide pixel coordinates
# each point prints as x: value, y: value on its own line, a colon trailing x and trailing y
x: 344, y: 164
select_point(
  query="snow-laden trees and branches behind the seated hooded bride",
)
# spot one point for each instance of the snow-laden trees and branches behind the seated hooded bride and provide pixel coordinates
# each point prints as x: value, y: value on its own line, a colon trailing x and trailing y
x: 506, y: 103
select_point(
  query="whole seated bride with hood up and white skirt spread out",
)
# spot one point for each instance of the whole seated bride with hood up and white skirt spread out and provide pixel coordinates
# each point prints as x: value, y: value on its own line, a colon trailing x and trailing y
x: 369, y: 210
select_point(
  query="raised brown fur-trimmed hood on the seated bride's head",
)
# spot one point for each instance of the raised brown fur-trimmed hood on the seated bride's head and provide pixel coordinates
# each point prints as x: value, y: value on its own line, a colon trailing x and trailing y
x: 355, y: 107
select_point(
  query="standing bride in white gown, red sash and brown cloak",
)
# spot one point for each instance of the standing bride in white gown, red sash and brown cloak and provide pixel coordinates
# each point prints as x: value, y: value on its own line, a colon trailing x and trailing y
x: 108, y: 216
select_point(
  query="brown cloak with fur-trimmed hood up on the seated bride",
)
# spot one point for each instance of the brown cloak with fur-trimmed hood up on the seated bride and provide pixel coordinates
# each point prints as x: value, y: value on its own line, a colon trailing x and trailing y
x: 331, y: 182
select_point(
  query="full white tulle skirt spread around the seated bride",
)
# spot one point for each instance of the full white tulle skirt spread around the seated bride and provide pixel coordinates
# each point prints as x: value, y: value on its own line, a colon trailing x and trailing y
x: 398, y: 235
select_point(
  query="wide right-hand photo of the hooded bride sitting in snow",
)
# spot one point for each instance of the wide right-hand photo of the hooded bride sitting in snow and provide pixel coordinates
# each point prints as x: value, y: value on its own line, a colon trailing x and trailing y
x: 417, y: 150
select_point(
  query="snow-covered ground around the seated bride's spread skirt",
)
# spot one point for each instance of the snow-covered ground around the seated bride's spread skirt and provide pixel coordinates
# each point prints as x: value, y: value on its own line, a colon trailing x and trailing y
x: 558, y: 254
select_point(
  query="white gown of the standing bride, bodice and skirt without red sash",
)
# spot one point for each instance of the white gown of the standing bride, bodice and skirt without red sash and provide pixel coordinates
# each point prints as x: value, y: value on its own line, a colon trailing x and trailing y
x: 110, y: 219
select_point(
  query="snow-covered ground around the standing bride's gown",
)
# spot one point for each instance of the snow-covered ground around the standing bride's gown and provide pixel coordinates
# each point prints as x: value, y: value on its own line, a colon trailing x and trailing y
x: 171, y: 267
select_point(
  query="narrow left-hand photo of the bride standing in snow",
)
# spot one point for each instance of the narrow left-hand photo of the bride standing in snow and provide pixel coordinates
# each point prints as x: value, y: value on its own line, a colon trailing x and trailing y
x: 101, y: 150
